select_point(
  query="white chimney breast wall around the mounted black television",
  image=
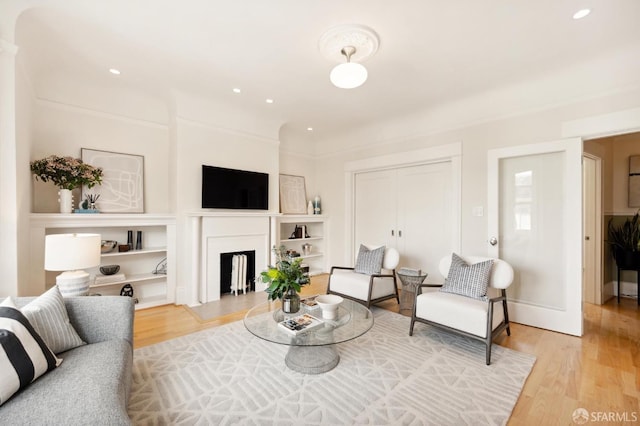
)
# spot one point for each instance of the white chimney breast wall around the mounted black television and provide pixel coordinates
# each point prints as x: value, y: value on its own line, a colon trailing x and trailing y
x: 204, y: 136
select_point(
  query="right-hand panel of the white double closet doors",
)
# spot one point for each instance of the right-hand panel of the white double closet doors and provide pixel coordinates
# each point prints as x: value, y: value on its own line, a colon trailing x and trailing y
x: 425, y: 218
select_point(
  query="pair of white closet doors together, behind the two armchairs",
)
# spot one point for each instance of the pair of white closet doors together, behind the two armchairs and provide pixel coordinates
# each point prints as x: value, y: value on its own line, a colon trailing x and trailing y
x: 411, y: 209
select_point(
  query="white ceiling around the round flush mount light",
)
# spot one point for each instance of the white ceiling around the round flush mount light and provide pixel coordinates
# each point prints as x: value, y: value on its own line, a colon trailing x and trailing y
x: 431, y: 51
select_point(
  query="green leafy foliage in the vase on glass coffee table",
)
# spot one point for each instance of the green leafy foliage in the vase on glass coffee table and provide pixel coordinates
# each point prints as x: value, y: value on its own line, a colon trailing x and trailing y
x: 287, y: 274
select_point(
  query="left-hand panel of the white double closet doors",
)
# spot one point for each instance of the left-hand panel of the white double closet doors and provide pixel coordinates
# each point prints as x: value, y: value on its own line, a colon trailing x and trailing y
x: 375, y: 208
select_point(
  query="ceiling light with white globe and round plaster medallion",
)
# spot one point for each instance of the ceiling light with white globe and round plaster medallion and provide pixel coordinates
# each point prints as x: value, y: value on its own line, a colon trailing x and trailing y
x: 355, y: 43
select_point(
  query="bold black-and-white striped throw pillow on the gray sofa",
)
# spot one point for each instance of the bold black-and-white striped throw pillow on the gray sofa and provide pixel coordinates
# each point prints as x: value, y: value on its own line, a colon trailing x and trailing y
x: 23, y: 354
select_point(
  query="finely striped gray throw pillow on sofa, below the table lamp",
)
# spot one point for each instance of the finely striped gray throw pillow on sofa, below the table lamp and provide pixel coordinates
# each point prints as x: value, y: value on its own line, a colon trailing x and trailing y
x: 49, y: 317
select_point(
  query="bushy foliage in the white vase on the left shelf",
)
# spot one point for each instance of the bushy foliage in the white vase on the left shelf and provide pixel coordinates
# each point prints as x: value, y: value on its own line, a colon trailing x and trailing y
x: 66, y: 172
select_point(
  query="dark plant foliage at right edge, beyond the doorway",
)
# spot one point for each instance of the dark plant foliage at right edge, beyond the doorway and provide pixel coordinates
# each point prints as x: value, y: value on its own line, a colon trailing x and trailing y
x: 625, y: 242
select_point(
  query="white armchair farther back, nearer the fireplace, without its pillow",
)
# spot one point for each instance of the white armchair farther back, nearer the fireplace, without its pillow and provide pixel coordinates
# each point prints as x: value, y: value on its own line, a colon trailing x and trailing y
x: 364, y: 288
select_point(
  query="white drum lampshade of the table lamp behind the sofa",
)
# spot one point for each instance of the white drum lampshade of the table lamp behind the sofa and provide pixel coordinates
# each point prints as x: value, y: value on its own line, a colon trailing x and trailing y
x: 70, y: 252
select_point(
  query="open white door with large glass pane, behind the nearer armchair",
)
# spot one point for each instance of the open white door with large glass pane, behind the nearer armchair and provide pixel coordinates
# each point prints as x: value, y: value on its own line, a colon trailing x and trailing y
x: 535, y: 224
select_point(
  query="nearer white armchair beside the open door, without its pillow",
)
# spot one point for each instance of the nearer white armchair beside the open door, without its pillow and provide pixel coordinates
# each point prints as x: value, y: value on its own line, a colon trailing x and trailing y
x: 479, y: 319
